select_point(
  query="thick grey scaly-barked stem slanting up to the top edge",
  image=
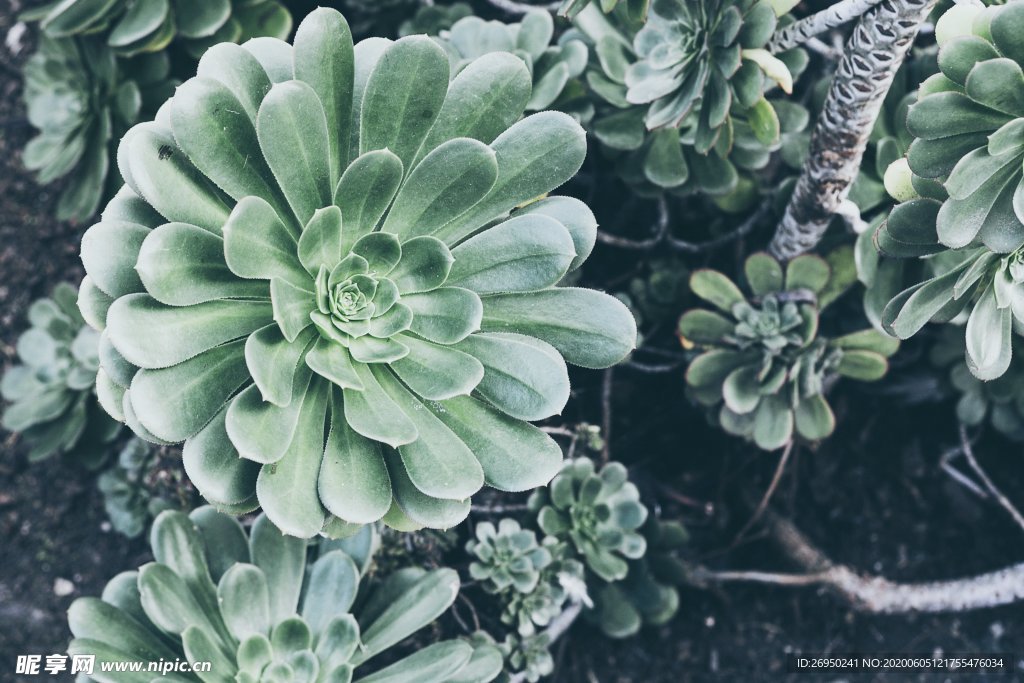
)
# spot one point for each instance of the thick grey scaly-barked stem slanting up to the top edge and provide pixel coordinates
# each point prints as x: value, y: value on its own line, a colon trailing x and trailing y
x: 873, y: 56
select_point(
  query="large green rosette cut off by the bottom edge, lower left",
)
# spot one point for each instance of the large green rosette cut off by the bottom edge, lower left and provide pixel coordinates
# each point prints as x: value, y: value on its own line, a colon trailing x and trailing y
x: 255, y: 609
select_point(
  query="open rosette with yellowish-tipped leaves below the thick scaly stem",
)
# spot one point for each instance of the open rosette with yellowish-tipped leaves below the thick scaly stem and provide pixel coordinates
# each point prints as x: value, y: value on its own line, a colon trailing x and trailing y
x: 765, y: 362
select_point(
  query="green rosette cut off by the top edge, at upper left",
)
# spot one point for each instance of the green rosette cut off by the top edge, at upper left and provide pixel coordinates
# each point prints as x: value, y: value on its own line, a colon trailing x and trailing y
x: 151, y: 26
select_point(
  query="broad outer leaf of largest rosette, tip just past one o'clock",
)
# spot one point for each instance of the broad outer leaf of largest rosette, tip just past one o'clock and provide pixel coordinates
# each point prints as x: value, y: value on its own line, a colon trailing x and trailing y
x: 487, y: 98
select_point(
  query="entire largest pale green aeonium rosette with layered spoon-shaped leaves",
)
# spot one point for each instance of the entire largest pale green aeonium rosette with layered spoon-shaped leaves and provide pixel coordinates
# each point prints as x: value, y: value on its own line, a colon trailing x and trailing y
x: 327, y: 275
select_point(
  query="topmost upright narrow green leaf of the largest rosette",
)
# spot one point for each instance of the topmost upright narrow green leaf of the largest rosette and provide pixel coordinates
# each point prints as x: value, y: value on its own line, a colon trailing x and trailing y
x: 325, y: 60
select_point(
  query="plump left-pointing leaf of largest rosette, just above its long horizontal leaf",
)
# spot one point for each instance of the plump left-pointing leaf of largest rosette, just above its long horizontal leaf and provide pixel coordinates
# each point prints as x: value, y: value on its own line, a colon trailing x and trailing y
x: 182, y: 266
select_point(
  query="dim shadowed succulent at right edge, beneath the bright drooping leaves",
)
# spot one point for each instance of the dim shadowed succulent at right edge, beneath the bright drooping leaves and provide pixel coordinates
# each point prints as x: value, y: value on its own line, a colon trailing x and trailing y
x: 1000, y: 402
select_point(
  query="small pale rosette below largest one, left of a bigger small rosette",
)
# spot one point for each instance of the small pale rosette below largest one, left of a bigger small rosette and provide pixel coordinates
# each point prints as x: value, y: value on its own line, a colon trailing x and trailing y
x: 507, y: 558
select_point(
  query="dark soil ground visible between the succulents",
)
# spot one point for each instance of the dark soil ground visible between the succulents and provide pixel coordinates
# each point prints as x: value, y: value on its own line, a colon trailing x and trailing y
x: 873, y: 497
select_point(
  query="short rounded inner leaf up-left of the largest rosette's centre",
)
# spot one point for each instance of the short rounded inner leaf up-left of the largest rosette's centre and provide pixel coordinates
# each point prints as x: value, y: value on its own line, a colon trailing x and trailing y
x: 259, y: 246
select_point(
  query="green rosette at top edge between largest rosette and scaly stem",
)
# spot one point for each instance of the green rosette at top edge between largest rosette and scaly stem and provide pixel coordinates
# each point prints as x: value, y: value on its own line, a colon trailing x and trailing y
x: 721, y: 123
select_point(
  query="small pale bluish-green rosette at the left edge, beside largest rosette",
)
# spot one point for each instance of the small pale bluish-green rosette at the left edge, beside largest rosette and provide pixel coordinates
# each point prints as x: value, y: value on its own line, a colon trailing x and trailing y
x: 52, y: 392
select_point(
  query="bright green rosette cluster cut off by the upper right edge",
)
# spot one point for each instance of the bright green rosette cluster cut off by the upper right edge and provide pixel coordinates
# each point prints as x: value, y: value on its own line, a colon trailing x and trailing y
x: 962, y: 185
